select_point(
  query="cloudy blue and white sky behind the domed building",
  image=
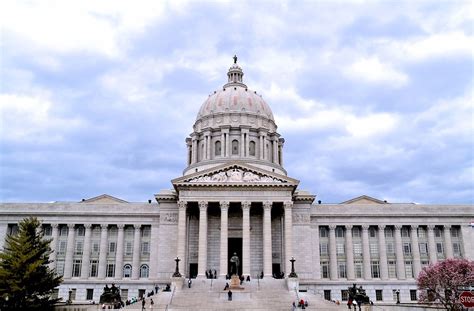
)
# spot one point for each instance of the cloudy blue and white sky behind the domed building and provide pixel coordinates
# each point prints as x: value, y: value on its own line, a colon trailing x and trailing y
x: 372, y: 97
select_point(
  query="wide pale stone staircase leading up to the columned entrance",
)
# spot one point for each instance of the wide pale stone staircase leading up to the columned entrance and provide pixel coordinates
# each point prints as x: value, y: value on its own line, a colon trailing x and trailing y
x: 256, y: 295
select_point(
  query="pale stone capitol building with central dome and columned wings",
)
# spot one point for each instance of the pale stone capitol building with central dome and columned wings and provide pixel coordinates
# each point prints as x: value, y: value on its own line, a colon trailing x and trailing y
x: 235, y: 196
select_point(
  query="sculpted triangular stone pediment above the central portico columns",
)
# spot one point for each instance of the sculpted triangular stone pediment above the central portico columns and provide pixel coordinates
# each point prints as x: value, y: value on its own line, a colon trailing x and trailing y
x: 237, y: 175
